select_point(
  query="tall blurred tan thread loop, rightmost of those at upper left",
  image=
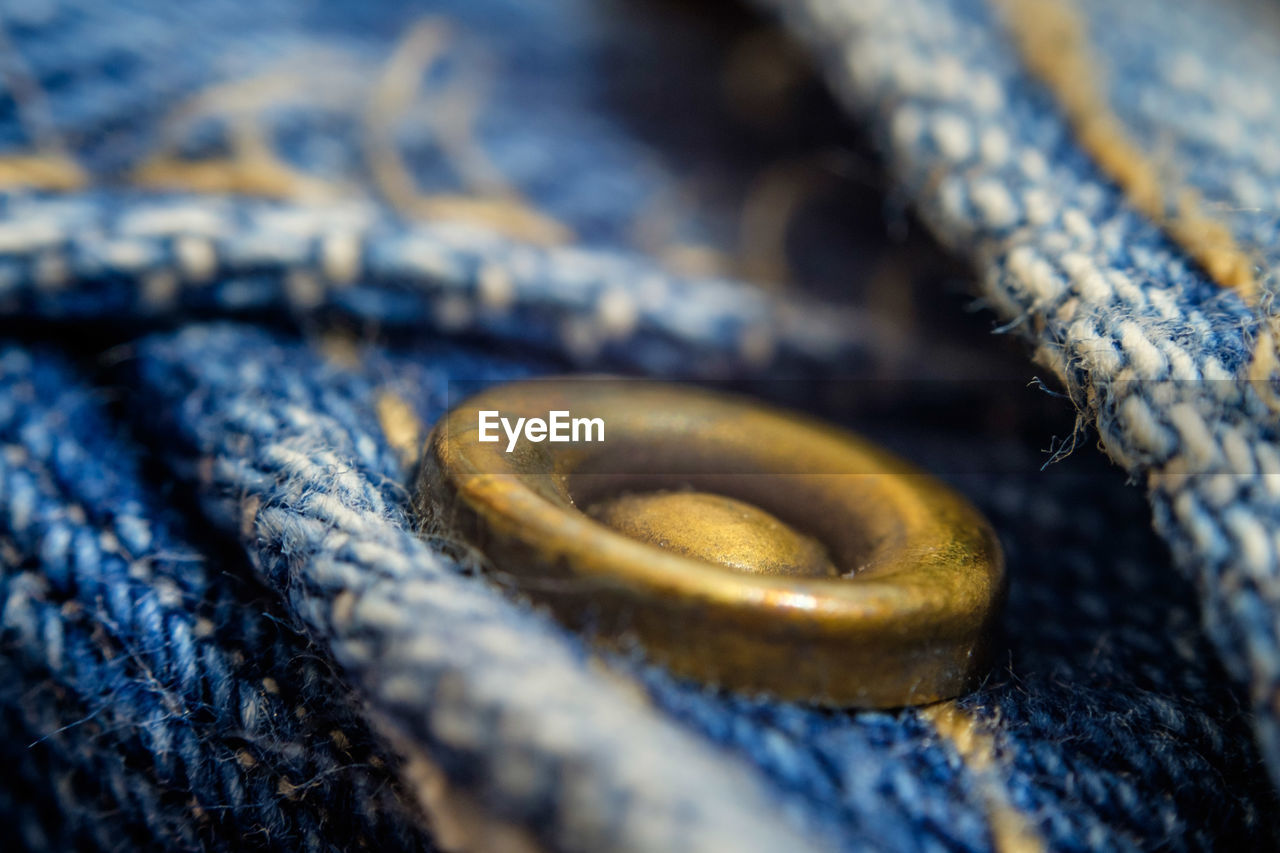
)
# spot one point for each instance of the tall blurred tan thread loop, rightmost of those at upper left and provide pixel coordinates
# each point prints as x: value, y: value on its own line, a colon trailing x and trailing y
x: 394, y: 94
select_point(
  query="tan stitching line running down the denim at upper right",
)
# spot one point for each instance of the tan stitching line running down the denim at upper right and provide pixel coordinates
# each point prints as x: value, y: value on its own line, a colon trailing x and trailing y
x: 1055, y: 48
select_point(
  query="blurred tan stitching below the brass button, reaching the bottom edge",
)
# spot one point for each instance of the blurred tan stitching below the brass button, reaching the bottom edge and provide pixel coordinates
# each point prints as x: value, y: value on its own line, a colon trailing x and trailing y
x: 1011, y: 831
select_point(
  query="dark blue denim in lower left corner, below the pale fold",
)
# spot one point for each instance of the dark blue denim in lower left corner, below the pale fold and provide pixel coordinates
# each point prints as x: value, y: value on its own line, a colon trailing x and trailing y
x: 154, y: 694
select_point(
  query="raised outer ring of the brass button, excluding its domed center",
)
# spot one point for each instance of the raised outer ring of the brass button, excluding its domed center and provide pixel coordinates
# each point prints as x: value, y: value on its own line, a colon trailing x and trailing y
x: 911, y: 628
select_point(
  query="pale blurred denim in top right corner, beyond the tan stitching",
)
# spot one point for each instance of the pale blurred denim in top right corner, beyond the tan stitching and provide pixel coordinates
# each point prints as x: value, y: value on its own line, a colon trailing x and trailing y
x: 1190, y: 85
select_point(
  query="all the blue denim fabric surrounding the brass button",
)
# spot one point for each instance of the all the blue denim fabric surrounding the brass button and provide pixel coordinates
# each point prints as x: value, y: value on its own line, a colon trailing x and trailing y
x: 222, y: 627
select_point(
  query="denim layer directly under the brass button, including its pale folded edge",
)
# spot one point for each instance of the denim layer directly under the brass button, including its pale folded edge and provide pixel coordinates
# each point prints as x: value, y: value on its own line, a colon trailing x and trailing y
x: 1098, y: 714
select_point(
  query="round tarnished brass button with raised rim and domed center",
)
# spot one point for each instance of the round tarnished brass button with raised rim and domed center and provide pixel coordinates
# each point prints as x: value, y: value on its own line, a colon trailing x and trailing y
x: 734, y: 544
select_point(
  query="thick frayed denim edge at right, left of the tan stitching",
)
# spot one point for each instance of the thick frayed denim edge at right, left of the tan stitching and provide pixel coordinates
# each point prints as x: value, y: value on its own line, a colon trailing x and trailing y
x: 1149, y: 348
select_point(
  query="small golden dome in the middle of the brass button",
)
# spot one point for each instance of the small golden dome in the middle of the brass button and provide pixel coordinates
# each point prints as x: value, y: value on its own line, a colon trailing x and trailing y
x: 716, y: 530
